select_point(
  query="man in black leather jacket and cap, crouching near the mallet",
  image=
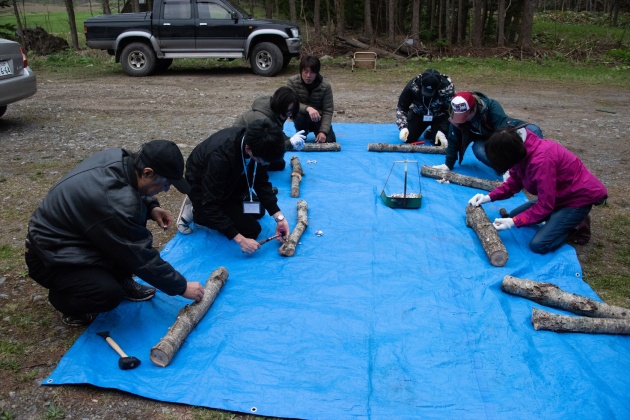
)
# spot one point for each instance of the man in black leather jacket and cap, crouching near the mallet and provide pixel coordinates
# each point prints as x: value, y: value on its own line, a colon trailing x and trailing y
x: 88, y: 237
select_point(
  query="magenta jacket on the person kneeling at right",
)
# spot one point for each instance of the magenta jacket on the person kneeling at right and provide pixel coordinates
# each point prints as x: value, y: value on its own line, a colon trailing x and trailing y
x: 555, y: 175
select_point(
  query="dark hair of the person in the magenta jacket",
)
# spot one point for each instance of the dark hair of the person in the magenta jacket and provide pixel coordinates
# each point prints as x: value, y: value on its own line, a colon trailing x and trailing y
x: 505, y: 149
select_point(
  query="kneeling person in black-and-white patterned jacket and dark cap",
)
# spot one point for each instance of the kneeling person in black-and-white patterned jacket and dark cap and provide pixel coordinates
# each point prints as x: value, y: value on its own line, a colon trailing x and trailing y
x: 424, y: 103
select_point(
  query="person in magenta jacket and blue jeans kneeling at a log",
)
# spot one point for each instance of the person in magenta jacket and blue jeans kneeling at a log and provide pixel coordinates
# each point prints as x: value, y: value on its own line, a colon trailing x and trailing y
x: 565, y: 189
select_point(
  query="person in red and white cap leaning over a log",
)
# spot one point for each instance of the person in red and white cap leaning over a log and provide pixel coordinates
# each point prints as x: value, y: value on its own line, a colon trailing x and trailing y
x: 474, y: 118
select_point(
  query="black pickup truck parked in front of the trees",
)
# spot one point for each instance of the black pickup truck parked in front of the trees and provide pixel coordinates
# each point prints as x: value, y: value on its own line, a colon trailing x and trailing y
x: 148, y: 42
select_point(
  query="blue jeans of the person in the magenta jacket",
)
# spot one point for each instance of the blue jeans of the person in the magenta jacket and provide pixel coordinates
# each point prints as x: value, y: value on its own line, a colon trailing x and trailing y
x: 557, y: 228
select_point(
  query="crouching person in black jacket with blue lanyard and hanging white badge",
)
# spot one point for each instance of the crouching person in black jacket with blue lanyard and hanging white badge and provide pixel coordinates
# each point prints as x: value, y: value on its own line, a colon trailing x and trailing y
x: 230, y: 188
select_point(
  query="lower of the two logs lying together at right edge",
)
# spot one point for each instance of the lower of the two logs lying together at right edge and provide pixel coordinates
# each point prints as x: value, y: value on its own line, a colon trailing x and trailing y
x: 543, y: 320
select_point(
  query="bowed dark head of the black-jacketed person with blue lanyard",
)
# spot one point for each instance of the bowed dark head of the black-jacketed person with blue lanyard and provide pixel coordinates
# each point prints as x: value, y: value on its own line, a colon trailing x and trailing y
x: 266, y: 140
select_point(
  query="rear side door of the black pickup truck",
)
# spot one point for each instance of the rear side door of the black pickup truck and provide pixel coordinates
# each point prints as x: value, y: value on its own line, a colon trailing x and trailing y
x: 176, y: 29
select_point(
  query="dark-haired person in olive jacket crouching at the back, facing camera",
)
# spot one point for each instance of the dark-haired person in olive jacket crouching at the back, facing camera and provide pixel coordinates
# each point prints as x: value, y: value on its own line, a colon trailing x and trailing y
x: 316, y: 101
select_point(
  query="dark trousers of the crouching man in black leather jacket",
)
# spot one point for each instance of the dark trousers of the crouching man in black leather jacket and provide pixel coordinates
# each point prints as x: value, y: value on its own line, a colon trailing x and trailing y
x: 78, y: 290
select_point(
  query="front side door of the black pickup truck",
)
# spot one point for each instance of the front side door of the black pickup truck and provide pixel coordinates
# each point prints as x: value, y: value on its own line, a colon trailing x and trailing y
x: 217, y: 31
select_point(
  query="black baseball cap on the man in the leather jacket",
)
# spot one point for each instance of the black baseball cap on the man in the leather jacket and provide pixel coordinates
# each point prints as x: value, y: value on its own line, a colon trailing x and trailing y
x: 166, y: 160
